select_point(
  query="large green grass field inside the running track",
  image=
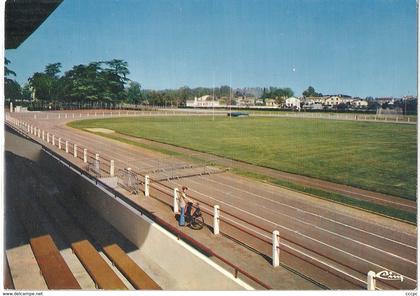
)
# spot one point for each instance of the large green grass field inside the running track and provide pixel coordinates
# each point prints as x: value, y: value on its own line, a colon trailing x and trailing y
x: 374, y: 156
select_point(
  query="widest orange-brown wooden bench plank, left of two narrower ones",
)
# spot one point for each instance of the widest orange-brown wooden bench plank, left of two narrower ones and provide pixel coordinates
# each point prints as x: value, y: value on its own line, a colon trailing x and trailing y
x: 56, y: 273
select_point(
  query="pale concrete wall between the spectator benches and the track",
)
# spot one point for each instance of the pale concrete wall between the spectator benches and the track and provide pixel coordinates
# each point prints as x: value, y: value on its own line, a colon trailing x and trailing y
x: 188, y: 268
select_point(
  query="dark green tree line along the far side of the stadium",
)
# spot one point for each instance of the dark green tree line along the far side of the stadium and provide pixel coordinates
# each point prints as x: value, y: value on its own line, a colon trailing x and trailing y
x: 102, y: 83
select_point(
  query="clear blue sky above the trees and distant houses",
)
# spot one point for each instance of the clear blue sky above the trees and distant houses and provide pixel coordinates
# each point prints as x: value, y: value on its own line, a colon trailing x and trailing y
x: 355, y: 47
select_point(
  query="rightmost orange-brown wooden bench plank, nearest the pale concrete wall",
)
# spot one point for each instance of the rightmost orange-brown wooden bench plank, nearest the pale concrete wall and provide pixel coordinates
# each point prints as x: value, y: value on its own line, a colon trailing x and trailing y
x: 135, y: 275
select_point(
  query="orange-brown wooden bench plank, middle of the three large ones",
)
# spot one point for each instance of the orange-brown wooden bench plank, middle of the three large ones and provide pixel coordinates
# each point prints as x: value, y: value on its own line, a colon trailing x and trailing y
x: 101, y: 273
